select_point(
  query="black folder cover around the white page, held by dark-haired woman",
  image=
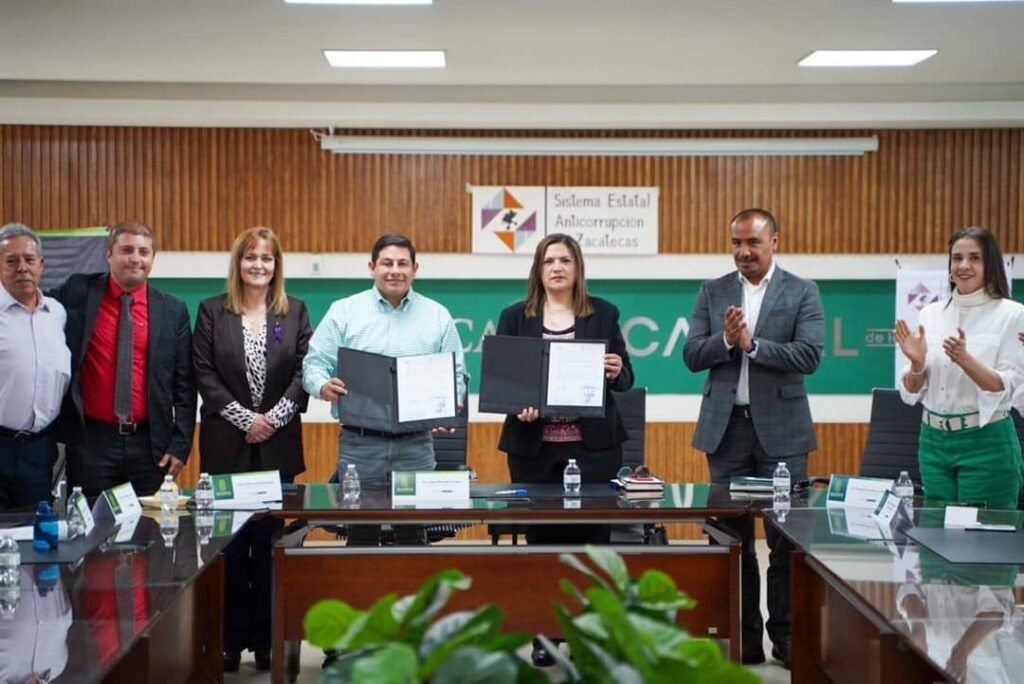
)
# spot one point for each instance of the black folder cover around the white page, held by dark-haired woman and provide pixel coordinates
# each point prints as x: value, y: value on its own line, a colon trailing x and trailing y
x: 515, y: 375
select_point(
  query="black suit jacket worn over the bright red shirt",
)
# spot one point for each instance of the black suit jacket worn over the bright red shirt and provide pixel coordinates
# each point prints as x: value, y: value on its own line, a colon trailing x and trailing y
x: 169, y: 387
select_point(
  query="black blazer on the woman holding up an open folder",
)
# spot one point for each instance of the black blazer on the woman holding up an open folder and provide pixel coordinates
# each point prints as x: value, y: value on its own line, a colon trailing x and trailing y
x: 599, y: 434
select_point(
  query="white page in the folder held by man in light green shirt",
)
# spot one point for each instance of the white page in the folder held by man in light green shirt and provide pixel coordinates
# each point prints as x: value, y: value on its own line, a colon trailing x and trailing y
x: 426, y: 388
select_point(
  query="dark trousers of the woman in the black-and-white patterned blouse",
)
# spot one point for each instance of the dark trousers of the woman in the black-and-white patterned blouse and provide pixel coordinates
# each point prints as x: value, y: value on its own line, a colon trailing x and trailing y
x: 249, y: 581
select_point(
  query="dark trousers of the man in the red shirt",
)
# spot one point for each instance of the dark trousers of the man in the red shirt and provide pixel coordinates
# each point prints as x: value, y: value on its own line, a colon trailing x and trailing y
x: 108, y: 458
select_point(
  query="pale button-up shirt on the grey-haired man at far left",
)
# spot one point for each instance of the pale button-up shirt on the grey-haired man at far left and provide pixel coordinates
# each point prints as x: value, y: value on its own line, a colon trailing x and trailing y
x: 35, y: 363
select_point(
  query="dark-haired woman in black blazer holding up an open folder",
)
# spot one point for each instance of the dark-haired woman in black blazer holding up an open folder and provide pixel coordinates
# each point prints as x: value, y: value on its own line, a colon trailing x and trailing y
x: 558, y: 307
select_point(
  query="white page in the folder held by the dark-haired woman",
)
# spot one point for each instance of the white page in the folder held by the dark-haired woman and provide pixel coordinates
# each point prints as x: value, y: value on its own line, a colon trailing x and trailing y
x: 576, y: 374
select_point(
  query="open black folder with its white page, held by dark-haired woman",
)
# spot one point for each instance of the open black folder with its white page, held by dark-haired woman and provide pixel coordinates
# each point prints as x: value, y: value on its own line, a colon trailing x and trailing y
x: 558, y: 377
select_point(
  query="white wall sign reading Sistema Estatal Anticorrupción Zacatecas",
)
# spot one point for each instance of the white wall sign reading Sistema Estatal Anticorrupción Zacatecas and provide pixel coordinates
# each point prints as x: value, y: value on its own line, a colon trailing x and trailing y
x: 605, y: 221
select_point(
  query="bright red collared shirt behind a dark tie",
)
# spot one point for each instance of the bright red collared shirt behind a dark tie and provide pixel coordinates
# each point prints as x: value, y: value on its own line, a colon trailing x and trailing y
x: 101, y: 363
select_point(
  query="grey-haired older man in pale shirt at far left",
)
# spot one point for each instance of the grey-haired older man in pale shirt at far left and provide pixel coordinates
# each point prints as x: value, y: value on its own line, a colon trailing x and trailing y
x: 35, y: 371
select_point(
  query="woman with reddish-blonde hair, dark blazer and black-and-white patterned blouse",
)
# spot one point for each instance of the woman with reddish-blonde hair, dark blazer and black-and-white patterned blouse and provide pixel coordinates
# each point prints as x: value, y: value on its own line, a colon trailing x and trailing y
x: 248, y: 350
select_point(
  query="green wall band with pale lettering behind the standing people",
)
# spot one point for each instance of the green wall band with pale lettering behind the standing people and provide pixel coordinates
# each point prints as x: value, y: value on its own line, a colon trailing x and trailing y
x: 655, y: 315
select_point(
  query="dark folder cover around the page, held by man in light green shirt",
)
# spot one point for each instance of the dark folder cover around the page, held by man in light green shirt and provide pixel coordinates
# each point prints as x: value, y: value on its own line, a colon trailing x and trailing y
x: 372, y: 403
